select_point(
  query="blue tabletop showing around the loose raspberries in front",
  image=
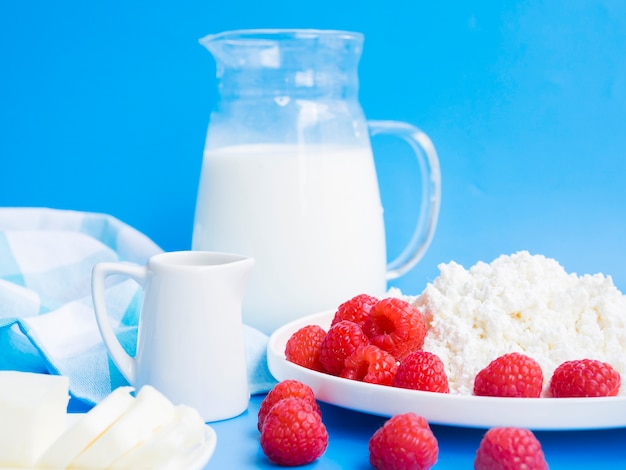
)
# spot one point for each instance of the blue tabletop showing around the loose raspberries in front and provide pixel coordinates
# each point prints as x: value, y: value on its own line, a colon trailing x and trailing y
x: 349, y: 432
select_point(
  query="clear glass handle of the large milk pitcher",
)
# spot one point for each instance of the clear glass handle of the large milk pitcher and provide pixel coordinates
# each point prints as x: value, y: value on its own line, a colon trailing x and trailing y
x: 428, y: 161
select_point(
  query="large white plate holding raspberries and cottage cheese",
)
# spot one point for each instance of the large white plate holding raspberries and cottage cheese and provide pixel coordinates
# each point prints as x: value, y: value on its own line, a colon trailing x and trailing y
x: 438, y: 408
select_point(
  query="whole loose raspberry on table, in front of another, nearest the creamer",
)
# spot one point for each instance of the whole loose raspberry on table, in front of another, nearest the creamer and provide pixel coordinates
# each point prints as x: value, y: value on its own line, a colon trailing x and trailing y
x: 293, y: 433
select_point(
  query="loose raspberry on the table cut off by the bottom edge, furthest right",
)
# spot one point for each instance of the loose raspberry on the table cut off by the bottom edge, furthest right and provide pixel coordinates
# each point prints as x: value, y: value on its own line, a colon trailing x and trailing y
x: 509, y: 449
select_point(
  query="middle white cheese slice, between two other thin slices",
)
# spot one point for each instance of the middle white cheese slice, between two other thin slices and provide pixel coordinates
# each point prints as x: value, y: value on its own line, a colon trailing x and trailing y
x: 149, y: 411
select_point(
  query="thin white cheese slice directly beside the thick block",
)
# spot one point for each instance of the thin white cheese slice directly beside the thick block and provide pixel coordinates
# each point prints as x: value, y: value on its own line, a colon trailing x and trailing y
x: 87, y: 429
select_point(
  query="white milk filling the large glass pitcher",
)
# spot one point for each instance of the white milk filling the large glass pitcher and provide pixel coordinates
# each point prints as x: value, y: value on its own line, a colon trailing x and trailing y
x: 313, y: 221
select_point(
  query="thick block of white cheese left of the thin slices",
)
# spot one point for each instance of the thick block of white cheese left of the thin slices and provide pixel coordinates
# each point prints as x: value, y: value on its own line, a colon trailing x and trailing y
x: 33, y: 411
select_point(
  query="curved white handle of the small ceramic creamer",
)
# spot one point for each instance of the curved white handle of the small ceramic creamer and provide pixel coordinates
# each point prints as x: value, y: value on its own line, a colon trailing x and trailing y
x: 124, y: 362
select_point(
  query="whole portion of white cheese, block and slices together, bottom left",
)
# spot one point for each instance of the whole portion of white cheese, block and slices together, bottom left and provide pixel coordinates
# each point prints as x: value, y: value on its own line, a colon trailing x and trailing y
x: 122, y: 431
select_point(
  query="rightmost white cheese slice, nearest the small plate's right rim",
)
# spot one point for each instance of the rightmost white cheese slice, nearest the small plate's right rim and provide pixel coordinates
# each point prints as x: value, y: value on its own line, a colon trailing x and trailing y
x: 172, y: 442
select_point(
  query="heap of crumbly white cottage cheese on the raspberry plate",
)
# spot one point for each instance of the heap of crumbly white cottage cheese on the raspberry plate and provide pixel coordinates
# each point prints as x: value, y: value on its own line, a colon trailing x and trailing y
x: 525, y: 303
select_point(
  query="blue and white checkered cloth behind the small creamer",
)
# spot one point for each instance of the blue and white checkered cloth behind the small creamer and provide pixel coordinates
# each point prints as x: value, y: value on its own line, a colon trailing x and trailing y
x: 47, y: 322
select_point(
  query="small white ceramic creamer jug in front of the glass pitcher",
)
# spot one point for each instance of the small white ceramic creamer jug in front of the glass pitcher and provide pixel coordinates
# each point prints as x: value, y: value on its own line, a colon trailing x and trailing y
x: 190, y: 343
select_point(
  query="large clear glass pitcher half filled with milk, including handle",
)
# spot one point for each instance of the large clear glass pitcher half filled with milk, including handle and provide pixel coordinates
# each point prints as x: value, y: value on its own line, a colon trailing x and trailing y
x: 288, y: 175
